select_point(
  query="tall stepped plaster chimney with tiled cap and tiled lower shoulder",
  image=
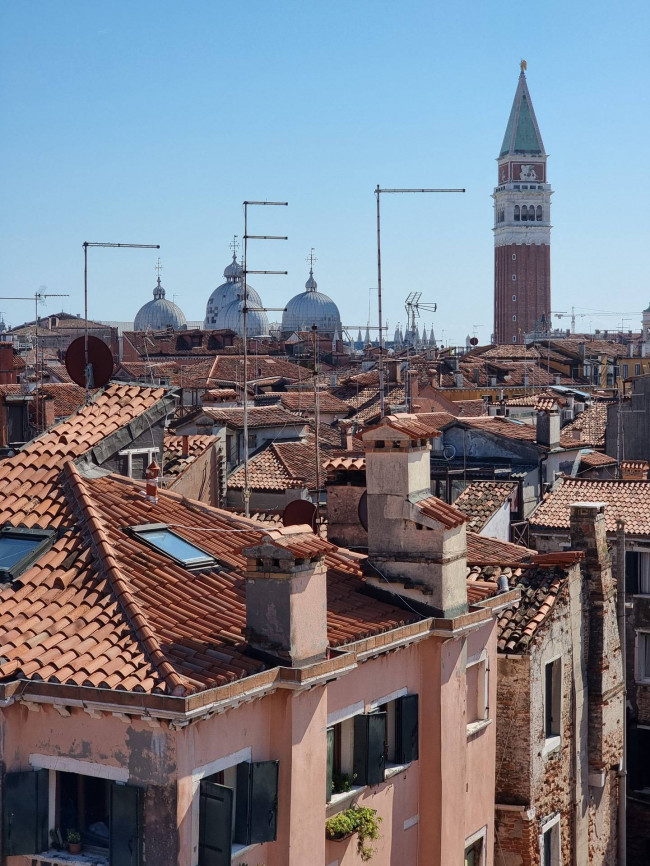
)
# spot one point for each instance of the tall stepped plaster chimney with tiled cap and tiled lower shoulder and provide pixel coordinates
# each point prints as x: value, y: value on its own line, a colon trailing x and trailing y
x: 414, y: 539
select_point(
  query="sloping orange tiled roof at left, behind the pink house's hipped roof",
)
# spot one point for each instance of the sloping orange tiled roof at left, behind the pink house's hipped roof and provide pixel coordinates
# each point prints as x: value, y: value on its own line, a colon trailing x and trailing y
x: 29, y: 492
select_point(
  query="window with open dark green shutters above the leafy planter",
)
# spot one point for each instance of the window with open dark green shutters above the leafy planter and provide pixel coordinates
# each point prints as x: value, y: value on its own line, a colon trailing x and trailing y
x: 387, y: 736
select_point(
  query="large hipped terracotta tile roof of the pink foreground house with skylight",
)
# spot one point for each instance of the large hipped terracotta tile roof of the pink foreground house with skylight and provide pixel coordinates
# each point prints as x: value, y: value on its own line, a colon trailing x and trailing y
x: 160, y: 627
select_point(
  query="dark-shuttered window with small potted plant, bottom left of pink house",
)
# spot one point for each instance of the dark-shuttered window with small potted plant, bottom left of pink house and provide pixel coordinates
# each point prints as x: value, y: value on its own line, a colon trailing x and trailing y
x: 107, y: 815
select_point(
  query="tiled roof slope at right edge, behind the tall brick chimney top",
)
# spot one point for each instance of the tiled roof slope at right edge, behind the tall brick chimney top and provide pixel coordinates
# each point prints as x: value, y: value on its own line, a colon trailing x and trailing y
x: 629, y: 500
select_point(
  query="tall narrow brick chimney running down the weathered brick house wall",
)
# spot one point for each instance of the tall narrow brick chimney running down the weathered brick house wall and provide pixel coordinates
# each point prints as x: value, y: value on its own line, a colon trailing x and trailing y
x: 604, y: 661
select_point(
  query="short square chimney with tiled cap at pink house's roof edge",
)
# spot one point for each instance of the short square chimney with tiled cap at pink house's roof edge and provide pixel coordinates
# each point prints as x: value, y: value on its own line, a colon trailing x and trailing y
x: 286, y: 596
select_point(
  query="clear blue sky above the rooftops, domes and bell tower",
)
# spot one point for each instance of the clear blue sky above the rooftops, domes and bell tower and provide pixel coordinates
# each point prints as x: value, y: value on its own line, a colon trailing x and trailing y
x: 151, y: 122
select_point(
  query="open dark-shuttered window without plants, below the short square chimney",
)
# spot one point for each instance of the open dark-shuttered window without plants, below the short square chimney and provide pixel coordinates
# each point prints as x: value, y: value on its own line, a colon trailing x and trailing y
x: 237, y: 806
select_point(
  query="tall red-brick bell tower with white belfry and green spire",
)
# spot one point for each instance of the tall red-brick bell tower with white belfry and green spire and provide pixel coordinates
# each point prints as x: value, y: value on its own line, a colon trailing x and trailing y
x: 522, y: 226
